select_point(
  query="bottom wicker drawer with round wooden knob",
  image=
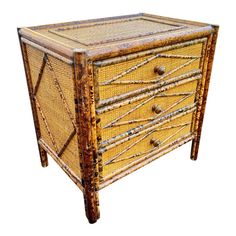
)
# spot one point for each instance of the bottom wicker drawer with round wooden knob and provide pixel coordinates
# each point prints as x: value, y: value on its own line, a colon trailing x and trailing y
x: 146, y: 145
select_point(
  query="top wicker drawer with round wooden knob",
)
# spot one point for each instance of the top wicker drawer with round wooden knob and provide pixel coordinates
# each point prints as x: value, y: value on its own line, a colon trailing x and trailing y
x: 145, y: 71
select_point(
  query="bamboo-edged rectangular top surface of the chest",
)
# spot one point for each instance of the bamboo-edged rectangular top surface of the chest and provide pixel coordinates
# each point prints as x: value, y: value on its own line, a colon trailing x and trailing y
x: 112, y: 34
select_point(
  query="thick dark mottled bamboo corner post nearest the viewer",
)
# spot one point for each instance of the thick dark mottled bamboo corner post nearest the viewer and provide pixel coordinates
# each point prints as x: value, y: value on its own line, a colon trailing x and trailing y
x: 86, y: 123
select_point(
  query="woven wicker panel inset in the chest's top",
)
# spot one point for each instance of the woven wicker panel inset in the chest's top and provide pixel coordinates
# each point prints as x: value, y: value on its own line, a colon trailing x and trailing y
x: 105, y: 32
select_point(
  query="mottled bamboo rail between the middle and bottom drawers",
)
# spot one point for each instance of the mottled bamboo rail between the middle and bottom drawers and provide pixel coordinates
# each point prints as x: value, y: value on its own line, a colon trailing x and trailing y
x: 121, y: 138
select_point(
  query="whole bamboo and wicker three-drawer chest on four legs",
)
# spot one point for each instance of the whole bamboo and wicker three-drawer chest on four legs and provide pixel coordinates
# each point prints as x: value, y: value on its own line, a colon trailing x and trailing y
x: 111, y: 95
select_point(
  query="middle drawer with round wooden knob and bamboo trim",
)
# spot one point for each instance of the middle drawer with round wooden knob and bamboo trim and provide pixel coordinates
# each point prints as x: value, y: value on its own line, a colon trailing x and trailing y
x: 117, y: 119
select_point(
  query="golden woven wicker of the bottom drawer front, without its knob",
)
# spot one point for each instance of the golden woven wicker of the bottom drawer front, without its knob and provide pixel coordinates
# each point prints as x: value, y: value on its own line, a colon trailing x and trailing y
x: 143, y: 147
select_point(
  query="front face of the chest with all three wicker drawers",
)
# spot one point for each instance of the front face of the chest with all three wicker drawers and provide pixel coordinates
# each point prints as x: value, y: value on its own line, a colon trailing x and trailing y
x: 147, y: 102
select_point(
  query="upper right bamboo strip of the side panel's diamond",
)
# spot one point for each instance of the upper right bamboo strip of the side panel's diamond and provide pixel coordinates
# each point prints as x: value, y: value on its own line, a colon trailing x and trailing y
x: 58, y: 87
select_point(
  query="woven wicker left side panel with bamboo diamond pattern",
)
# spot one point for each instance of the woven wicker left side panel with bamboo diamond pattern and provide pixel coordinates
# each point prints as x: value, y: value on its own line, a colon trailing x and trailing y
x: 53, y: 83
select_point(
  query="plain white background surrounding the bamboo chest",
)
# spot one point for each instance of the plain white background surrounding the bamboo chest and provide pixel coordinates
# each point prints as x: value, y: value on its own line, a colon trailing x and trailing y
x: 171, y: 196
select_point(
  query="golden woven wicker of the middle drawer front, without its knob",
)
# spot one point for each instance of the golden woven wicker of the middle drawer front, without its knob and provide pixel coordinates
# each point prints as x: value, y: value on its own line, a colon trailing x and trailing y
x: 169, y: 102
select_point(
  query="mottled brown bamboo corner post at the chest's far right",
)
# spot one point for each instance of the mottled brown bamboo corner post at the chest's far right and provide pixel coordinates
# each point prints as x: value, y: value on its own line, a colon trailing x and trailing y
x: 202, y: 96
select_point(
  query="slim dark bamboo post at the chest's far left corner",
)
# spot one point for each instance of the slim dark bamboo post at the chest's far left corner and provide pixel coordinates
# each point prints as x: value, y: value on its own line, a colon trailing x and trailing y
x: 42, y: 152
